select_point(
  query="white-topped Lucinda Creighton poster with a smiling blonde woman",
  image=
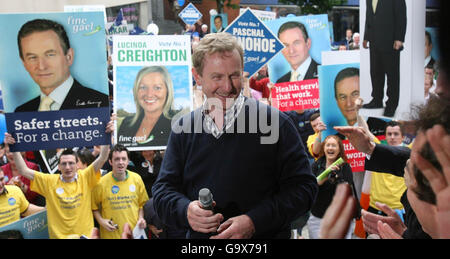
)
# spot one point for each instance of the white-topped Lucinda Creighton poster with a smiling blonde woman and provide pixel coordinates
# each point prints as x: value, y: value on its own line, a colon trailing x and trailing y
x: 153, y: 80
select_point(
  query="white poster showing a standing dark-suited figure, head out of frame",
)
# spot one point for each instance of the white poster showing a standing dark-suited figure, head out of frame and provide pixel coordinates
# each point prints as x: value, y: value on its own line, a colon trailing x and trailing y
x: 392, y: 59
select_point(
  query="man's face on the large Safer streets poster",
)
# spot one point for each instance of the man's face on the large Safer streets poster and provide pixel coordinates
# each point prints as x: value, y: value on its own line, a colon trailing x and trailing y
x: 45, y: 60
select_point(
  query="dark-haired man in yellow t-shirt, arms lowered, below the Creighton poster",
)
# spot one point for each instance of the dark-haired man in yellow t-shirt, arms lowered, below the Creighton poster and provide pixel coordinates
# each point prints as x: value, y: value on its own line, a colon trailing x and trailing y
x: 119, y: 197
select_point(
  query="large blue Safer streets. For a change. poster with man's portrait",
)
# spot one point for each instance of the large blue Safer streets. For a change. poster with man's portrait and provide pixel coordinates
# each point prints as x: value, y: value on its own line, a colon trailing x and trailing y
x: 55, y: 86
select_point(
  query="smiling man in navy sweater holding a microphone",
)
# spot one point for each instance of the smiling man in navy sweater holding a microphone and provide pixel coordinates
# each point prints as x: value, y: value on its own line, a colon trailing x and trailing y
x: 247, y: 154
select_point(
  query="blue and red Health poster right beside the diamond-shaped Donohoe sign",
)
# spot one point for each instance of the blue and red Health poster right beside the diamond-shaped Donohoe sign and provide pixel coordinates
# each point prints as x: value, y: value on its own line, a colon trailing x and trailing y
x: 294, y: 70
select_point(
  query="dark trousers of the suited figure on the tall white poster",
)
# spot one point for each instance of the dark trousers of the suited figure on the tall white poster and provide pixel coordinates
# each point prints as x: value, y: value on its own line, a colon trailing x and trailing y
x: 384, y: 64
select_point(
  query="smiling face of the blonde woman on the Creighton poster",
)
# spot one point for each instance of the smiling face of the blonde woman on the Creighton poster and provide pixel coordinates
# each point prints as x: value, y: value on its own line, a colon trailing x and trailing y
x: 152, y: 93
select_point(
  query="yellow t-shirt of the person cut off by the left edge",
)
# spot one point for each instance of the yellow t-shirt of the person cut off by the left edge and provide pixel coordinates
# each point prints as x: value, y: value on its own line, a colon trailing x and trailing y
x: 12, y: 204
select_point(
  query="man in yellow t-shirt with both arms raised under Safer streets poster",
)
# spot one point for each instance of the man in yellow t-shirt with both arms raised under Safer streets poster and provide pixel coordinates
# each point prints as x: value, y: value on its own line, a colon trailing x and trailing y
x: 67, y: 195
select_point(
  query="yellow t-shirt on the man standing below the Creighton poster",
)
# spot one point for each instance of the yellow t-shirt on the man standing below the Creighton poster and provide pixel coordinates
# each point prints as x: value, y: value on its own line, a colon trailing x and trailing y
x: 119, y: 201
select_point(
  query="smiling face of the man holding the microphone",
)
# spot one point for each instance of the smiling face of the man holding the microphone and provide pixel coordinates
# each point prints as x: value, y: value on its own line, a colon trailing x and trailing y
x: 221, y: 78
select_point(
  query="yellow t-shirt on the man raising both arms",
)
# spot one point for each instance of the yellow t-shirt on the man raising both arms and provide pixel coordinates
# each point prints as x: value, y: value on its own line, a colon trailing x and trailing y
x: 69, y: 210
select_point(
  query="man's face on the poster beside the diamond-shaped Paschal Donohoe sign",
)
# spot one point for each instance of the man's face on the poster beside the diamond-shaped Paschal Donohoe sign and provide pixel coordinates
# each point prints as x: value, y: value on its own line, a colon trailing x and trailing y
x: 296, y: 49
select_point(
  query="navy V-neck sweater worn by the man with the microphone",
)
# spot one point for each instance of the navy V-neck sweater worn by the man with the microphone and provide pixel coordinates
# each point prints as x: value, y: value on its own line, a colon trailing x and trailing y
x: 271, y: 183
